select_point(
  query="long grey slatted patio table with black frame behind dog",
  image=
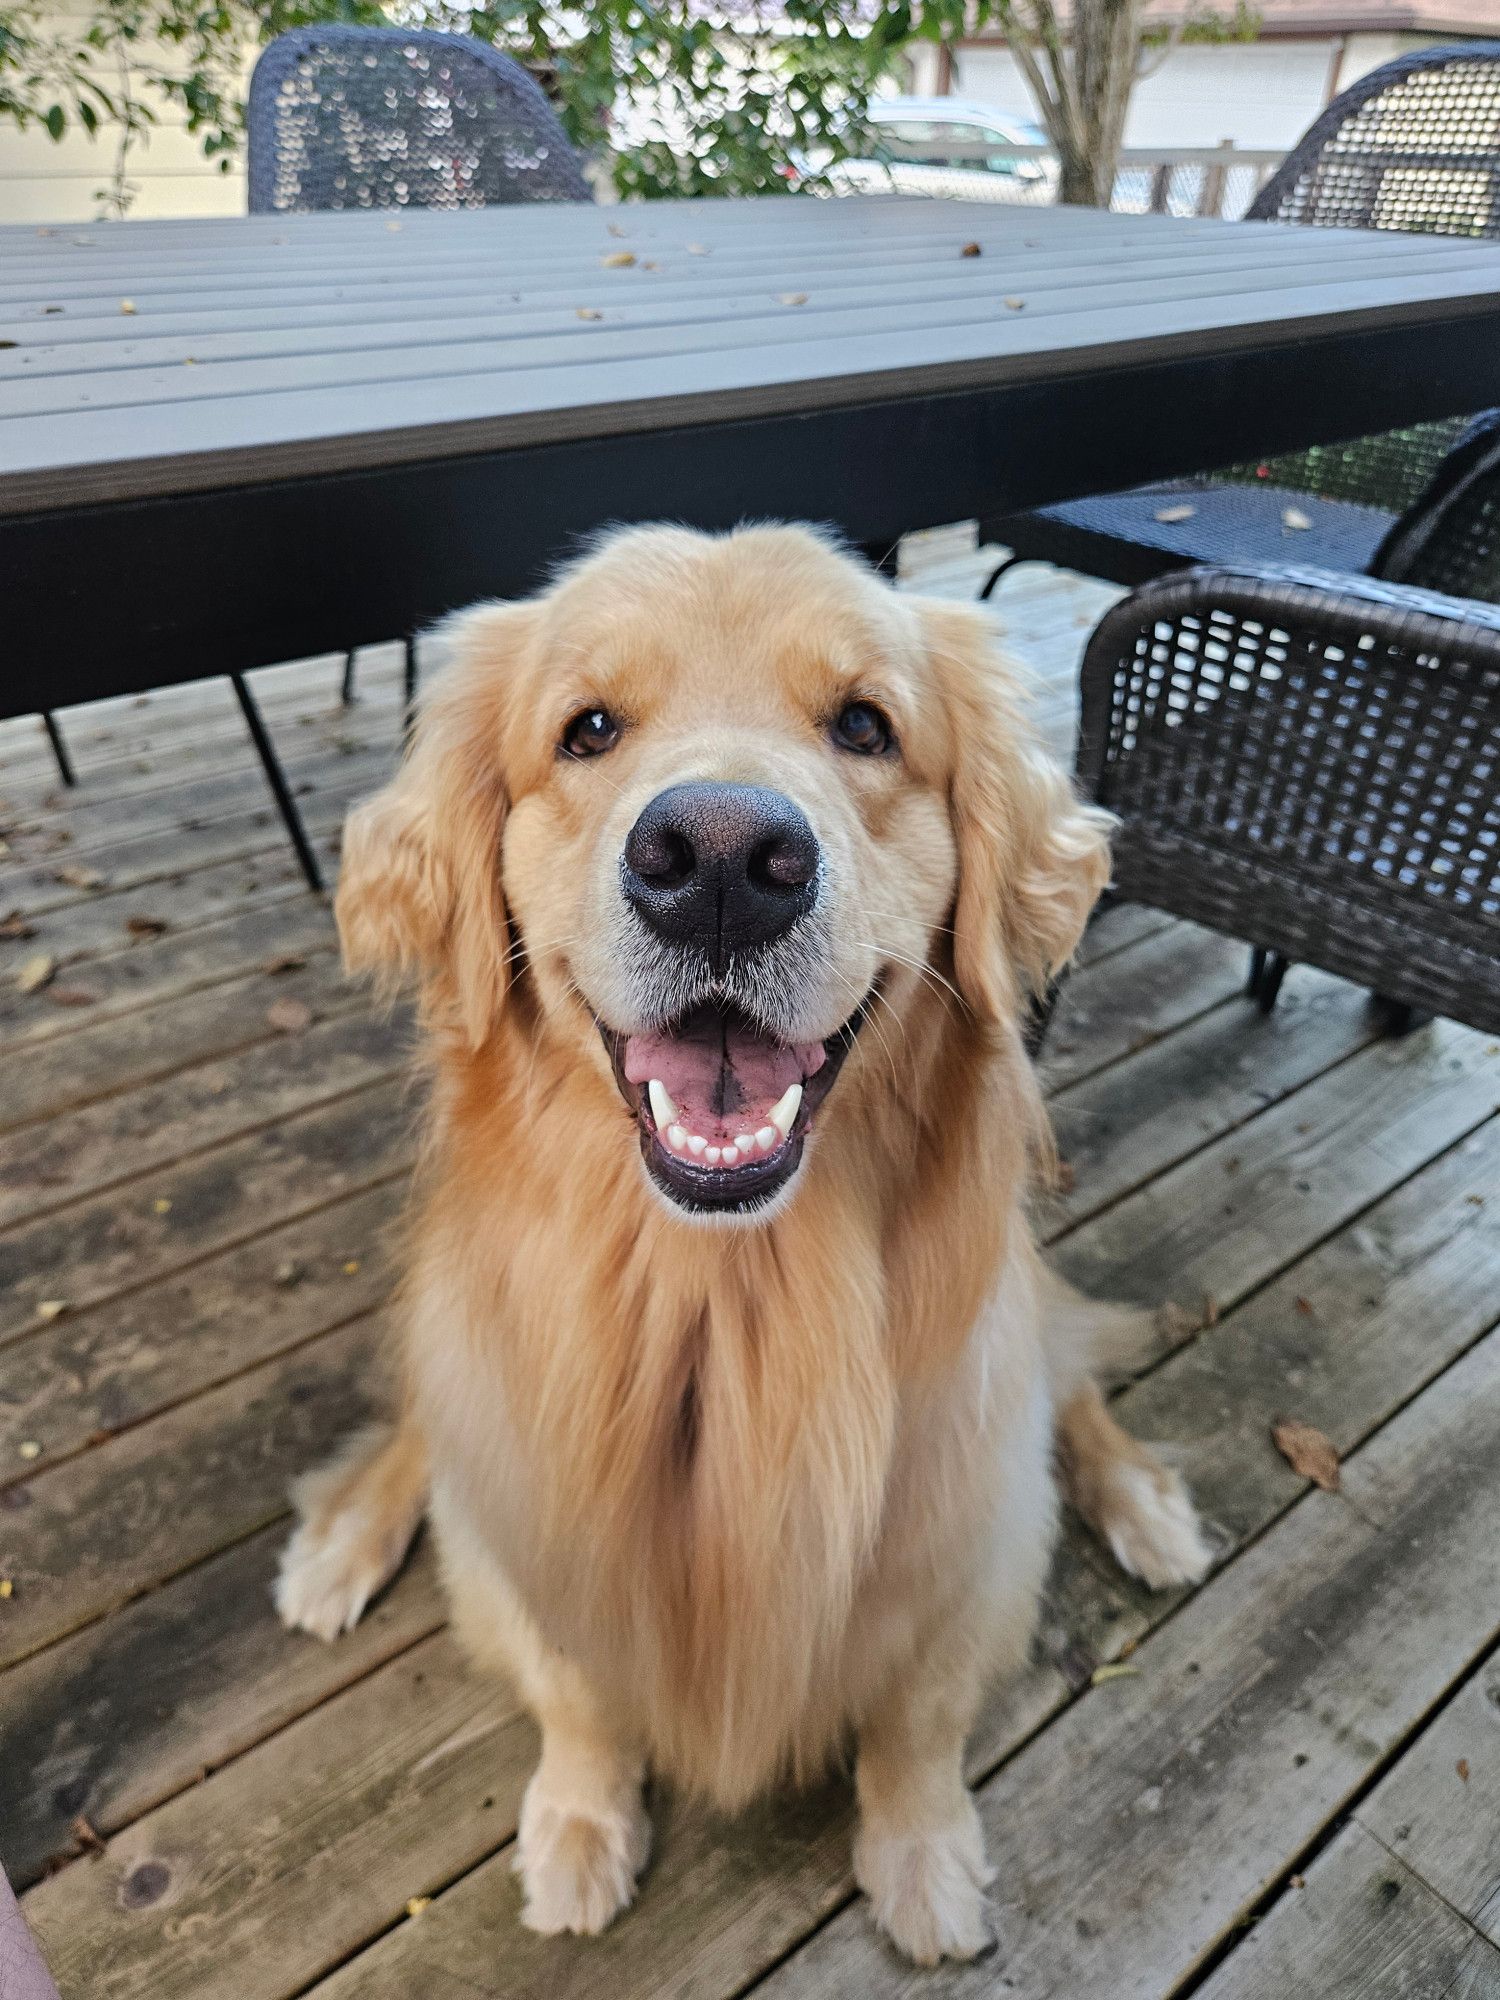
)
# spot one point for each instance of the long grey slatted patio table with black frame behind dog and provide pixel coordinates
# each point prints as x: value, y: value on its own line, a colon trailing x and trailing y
x: 227, y: 443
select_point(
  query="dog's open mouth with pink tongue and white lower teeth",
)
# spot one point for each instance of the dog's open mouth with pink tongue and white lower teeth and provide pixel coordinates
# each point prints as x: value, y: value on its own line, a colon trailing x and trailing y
x: 723, y: 1107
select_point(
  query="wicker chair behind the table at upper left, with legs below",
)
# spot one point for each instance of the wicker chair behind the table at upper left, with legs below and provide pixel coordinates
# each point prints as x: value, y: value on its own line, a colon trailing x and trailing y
x: 345, y: 117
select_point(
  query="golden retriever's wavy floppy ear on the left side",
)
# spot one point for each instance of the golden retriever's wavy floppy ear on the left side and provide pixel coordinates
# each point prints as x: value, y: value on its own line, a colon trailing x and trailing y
x: 419, y: 887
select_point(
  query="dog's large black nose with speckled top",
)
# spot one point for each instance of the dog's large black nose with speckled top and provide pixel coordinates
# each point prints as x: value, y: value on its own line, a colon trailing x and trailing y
x: 723, y: 867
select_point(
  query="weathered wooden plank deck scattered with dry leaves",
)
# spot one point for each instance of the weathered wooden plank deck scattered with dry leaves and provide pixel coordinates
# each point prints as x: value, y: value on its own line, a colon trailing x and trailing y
x: 1291, y: 1785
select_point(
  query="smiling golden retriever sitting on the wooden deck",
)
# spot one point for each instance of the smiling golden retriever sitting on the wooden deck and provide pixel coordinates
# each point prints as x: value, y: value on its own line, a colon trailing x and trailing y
x: 733, y: 1381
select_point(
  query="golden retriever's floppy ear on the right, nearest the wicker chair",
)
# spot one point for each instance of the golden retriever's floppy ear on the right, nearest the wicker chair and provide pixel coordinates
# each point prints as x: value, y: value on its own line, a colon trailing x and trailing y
x: 1033, y: 857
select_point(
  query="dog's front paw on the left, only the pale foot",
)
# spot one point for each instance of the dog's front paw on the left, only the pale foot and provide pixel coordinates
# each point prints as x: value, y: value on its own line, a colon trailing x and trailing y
x: 579, y: 1869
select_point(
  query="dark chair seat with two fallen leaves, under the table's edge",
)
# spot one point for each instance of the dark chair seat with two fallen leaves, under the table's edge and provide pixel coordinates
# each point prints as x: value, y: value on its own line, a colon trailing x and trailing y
x: 1123, y: 537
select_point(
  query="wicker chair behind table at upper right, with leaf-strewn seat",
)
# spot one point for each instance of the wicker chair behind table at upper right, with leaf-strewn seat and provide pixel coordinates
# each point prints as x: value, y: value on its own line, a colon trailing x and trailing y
x: 1409, y: 147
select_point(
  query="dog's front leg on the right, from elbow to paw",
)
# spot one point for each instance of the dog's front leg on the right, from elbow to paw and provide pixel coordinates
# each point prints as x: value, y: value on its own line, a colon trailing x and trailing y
x: 919, y: 1853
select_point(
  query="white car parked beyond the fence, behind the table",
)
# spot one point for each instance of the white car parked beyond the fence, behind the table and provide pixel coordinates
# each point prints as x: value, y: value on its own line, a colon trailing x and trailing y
x: 945, y: 147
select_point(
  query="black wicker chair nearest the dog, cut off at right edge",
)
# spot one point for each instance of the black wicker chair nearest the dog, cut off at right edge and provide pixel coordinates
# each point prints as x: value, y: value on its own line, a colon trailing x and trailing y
x: 1313, y: 761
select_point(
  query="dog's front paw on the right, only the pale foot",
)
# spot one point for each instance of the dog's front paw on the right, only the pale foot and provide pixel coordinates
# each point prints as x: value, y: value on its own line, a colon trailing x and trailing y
x: 927, y: 1887
